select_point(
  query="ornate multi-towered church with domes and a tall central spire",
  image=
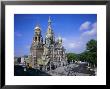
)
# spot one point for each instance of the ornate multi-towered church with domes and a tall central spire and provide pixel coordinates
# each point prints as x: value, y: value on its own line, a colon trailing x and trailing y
x: 48, y: 53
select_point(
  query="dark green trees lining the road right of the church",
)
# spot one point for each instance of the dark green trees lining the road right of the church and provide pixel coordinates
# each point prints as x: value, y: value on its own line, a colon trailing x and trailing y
x: 89, y: 55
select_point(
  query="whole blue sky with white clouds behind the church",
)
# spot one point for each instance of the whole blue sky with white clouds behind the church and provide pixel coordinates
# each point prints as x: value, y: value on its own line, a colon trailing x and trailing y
x: 75, y: 29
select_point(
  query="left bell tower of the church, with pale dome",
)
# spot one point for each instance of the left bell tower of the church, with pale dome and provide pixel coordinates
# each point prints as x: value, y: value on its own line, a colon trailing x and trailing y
x: 36, y: 47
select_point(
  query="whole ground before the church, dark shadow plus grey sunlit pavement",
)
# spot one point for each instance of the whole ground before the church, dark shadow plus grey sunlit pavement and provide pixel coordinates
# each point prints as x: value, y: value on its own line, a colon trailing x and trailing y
x: 70, y: 70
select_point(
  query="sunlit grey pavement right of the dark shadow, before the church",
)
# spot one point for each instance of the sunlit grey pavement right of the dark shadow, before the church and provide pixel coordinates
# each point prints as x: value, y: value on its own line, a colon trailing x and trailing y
x: 72, y: 70
